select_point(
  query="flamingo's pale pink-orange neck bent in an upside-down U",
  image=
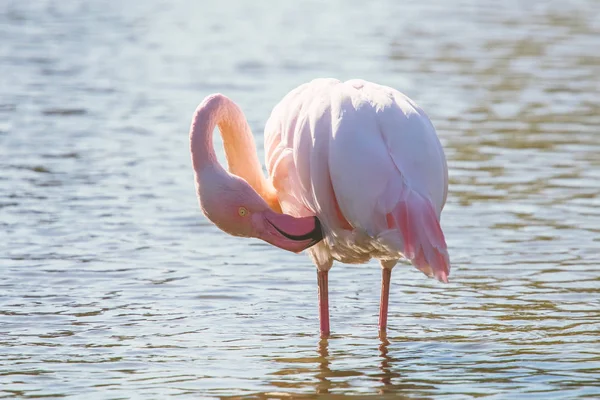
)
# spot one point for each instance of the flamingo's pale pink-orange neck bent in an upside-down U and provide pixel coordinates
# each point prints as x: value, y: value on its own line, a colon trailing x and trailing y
x: 240, y: 149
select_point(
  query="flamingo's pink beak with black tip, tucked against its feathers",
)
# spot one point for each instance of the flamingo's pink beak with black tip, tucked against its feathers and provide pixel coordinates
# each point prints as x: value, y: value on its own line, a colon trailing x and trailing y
x: 291, y: 233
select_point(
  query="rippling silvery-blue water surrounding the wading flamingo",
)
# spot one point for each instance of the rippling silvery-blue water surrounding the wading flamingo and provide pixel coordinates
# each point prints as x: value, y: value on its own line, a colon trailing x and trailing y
x: 113, y: 285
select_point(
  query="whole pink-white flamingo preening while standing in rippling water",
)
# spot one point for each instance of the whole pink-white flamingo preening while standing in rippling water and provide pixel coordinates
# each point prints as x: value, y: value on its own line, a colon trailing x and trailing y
x: 356, y: 171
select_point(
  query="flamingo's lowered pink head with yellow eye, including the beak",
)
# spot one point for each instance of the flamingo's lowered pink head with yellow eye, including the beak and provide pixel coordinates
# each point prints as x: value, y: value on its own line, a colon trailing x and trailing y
x: 236, y: 208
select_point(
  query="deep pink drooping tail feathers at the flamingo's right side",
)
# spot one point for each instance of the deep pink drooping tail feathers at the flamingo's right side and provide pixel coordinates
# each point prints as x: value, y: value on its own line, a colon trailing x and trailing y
x: 423, y: 240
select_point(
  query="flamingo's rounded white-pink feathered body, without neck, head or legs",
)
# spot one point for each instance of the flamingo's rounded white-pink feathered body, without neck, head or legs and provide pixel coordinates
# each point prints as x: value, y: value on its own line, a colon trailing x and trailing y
x: 366, y: 160
